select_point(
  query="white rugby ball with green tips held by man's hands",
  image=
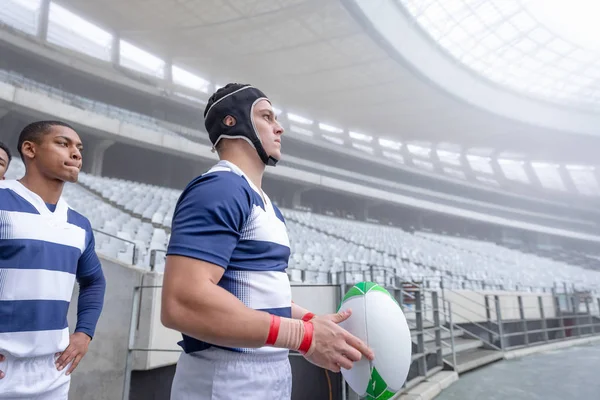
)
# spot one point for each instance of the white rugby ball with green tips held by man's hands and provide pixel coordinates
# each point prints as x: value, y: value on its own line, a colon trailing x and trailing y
x: 378, y: 320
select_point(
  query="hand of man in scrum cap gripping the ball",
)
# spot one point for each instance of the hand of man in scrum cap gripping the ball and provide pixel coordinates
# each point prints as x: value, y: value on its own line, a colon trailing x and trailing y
x: 334, y: 347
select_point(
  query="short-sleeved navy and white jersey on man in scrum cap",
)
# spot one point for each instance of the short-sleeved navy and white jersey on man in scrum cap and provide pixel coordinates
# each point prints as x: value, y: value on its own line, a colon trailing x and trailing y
x: 221, y: 218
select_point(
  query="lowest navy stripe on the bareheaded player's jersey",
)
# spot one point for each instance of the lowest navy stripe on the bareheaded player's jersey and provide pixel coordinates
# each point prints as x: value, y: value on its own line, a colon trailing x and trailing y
x: 33, y: 315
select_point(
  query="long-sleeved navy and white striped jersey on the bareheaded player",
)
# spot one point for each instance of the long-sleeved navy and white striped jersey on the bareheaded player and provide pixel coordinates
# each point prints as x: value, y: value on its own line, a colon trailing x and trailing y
x: 42, y: 253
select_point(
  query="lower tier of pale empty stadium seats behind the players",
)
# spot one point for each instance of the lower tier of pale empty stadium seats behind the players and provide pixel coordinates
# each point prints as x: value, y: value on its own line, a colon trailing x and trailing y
x: 130, y: 215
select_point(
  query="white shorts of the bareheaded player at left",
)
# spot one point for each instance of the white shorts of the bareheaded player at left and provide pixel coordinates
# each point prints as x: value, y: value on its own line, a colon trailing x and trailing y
x: 33, y: 378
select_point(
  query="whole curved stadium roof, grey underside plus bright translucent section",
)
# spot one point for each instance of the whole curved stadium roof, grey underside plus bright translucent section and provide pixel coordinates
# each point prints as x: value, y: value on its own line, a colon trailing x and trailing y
x: 411, y: 70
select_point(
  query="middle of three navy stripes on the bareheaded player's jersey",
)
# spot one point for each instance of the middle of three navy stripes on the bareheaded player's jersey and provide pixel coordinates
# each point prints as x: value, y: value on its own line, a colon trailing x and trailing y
x: 37, y: 254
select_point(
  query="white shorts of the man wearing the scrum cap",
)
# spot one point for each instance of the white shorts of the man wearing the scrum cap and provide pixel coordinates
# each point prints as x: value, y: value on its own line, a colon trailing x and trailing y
x: 217, y: 374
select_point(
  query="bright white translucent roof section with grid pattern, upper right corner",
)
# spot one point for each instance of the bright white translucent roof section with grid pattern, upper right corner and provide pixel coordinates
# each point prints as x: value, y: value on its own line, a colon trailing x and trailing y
x: 543, y: 48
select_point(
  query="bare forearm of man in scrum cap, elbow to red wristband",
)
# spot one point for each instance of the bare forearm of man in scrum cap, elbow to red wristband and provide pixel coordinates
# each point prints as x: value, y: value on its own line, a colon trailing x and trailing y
x: 216, y: 316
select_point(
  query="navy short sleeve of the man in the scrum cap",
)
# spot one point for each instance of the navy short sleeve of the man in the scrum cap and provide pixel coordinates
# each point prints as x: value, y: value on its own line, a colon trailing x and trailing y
x: 209, y: 217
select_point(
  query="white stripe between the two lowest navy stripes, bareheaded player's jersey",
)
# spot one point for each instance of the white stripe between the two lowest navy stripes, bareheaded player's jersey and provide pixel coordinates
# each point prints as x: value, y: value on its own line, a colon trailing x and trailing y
x: 35, y: 284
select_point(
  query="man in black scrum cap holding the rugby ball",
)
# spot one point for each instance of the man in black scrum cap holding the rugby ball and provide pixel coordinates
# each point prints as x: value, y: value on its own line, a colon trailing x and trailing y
x: 225, y: 286
